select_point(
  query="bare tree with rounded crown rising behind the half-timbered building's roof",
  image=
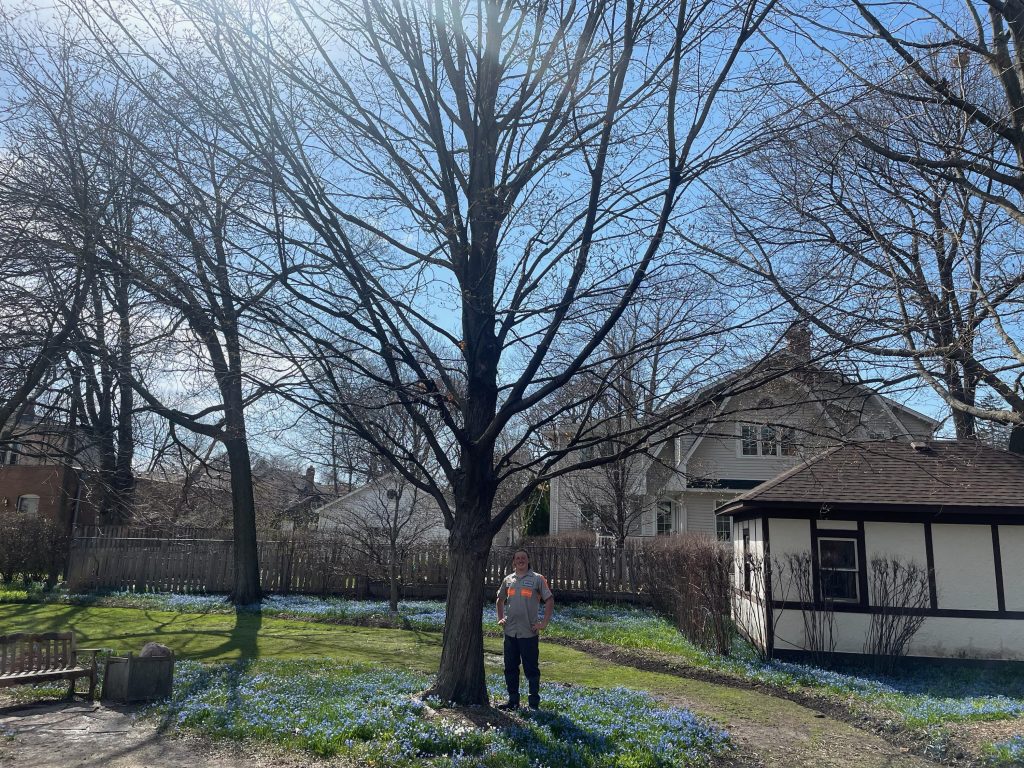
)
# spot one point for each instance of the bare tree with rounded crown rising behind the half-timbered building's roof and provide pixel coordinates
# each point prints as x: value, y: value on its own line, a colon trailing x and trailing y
x: 904, y: 266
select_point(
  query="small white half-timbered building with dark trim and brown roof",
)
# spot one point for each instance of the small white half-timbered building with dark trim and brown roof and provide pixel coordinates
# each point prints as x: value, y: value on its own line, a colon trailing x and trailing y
x: 954, y: 509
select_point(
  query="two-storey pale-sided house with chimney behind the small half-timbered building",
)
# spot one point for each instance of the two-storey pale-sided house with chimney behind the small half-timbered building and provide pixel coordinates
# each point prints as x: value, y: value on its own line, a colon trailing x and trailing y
x: 748, y: 429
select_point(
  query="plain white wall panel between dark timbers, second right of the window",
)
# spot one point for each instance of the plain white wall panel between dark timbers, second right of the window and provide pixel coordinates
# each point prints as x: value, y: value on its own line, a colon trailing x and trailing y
x: 965, y: 570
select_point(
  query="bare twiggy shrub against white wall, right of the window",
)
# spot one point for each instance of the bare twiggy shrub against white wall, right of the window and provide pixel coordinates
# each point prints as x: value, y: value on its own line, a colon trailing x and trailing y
x: 901, y: 594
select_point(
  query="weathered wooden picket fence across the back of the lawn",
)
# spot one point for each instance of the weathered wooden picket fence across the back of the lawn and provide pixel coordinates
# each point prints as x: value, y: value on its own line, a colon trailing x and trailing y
x: 201, y: 561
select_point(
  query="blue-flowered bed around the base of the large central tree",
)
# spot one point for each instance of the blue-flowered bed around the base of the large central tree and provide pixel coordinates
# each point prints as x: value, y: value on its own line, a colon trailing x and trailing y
x: 373, y: 716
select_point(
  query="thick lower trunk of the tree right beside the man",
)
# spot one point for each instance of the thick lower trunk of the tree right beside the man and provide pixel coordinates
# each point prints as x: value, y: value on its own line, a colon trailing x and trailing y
x: 461, y: 678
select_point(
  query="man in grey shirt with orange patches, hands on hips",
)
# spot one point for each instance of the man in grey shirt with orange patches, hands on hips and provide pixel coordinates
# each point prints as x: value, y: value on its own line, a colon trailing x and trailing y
x: 519, y: 605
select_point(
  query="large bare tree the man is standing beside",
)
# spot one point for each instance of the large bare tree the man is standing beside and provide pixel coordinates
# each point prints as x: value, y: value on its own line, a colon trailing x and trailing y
x: 486, y: 186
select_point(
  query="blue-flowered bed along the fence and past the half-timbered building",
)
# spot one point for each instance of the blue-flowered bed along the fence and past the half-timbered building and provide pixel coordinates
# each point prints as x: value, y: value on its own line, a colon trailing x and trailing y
x: 958, y: 718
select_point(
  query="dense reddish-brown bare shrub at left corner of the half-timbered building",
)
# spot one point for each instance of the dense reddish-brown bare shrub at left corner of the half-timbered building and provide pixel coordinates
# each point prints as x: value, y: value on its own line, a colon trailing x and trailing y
x: 689, y: 578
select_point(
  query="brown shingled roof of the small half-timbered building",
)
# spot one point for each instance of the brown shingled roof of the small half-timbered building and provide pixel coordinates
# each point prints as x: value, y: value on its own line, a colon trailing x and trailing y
x: 941, y: 477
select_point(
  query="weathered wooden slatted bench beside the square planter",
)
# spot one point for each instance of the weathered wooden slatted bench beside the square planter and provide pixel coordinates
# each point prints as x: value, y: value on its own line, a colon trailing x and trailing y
x: 38, y: 659
